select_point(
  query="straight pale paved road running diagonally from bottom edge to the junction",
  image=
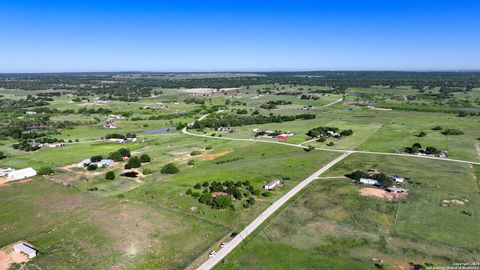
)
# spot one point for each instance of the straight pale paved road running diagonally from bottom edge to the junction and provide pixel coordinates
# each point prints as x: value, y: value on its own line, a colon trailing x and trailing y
x: 211, y: 262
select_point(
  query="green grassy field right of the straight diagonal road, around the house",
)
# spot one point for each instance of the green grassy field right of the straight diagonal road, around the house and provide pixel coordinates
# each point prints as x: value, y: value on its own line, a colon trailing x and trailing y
x: 330, y: 226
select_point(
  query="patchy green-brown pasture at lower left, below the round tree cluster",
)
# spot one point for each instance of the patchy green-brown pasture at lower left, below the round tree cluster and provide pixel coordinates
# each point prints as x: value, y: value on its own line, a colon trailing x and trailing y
x: 76, y: 230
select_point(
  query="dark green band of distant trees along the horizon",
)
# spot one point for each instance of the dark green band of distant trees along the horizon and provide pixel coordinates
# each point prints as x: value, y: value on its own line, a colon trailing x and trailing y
x: 142, y: 84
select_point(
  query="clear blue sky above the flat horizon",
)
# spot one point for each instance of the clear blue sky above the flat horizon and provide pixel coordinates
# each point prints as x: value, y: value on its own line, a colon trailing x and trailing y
x: 121, y: 35
